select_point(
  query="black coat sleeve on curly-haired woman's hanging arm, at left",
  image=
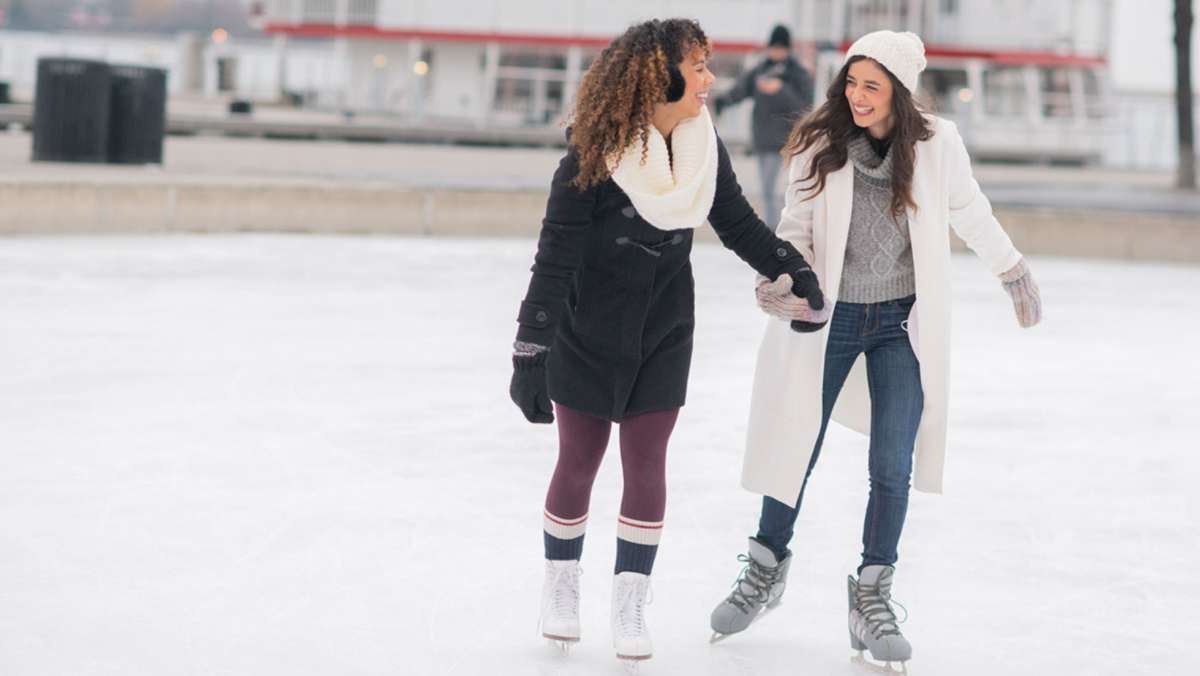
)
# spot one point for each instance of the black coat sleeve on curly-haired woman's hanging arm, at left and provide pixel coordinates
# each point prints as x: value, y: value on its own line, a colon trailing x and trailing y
x: 565, y: 232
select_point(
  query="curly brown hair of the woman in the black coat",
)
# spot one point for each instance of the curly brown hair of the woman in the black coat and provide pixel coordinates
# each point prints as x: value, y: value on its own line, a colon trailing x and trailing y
x: 620, y: 92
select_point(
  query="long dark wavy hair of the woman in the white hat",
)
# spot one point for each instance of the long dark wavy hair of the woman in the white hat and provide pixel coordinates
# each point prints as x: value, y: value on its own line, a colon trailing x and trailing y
x: 831, y: 128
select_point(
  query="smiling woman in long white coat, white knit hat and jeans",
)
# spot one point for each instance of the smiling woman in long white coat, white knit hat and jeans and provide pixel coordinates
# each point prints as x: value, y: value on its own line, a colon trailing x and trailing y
x: 874, y: 183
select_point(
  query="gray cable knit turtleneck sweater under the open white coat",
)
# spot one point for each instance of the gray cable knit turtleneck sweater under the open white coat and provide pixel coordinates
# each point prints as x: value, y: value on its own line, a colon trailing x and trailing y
x: 879, y: 254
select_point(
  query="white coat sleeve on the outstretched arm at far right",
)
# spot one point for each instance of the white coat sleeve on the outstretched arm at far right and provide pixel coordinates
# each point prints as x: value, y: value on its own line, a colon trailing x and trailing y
x: 970, y: 210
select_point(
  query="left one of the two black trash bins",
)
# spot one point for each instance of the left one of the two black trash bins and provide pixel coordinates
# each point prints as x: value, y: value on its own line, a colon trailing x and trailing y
x: 71, y: 111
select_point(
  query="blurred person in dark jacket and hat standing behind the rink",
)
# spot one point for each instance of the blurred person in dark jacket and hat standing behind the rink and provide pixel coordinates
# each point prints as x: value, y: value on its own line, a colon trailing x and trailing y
x: 783, y: 92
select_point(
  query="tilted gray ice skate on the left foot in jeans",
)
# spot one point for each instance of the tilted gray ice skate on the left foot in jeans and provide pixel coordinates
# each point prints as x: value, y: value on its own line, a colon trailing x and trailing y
x: 759, y: 590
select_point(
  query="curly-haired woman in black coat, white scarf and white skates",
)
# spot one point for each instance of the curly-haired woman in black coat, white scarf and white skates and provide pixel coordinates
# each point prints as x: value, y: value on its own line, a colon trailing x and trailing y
x: 607, y: 327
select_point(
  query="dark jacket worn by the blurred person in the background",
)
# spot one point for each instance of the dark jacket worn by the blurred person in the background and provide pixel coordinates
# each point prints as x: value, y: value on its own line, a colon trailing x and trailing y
x: 773, y: 115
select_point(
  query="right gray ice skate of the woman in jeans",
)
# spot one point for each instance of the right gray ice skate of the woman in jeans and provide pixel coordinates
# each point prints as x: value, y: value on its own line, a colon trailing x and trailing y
x: 873, y: 625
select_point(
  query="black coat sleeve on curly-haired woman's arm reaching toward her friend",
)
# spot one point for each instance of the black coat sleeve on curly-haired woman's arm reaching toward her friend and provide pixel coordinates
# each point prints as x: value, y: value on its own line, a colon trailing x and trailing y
x: 742, y: 231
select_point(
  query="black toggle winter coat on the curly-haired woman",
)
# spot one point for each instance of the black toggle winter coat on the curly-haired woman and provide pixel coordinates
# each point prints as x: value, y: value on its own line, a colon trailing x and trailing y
x: 614, y: 296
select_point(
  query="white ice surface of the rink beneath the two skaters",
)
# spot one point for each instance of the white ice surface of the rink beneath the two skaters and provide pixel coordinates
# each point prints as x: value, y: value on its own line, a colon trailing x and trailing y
x: 296, y: 456
